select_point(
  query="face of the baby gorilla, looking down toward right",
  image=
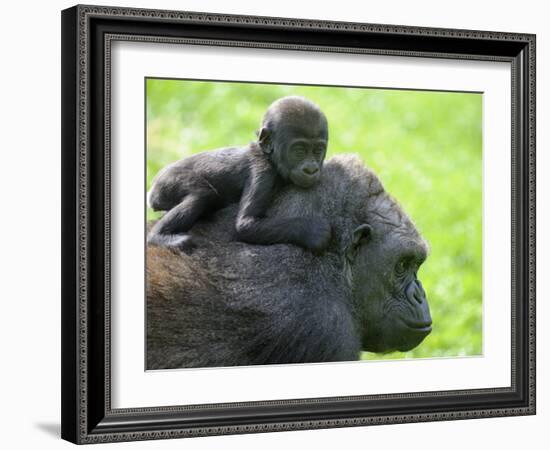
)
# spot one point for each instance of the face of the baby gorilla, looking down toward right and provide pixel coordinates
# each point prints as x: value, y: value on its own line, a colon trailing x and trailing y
x: 304, y: 156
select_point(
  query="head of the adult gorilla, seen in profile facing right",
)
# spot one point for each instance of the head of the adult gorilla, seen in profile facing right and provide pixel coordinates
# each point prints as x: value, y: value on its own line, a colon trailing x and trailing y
x: 381, y: 251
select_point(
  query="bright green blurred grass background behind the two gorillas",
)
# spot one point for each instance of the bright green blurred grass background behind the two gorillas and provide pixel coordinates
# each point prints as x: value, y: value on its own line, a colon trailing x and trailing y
x: 426, y: 147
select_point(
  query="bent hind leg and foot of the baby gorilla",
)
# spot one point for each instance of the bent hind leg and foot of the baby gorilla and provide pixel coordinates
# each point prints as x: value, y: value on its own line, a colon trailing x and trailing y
x: 171, y: 229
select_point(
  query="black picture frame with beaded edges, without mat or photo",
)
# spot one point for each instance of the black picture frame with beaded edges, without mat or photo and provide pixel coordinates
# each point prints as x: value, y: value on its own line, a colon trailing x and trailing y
x: 87, y: 416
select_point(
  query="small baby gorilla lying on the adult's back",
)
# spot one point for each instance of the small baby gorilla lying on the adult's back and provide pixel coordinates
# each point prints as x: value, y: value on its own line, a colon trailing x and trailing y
x: 291, y: 147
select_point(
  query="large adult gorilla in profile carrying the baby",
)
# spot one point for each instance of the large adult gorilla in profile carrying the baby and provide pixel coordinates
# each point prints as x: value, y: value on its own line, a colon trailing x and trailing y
x: 232, y: 303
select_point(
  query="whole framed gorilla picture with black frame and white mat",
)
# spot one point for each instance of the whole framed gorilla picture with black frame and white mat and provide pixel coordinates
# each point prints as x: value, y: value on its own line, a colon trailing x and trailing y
x: 279, y: 224
